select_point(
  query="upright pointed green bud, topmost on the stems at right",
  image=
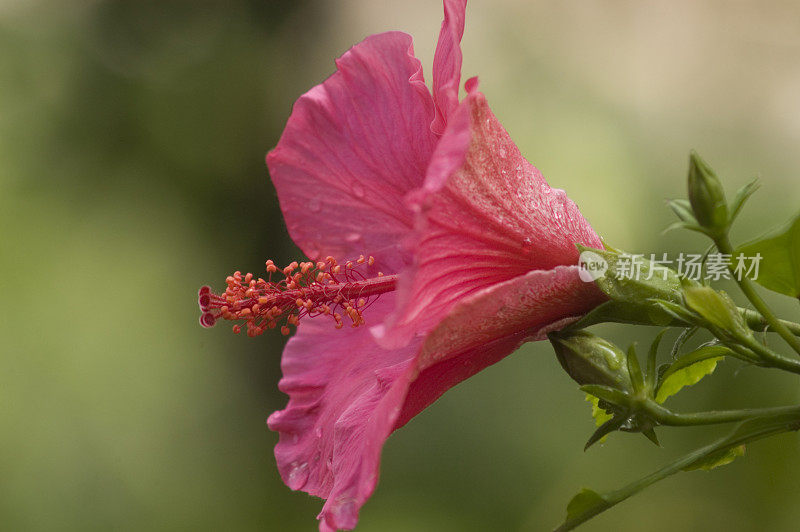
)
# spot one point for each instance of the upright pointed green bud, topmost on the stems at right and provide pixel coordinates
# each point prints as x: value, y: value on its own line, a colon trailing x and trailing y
x: 706, y: 195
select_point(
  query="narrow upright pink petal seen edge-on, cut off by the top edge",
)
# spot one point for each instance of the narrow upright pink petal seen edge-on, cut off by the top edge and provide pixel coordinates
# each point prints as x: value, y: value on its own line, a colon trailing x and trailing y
x: 447, y: 63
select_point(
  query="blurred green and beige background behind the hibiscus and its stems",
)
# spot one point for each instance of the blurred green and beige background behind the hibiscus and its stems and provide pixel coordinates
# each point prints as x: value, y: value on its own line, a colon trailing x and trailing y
x: 132, y: 138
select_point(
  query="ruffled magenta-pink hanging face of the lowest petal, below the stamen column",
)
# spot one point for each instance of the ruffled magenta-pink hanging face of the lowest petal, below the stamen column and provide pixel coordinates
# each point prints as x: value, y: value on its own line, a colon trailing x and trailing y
x: 345, y: 393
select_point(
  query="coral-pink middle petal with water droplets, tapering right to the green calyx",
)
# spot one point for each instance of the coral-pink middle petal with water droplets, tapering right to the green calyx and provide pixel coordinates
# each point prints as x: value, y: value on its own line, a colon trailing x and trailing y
x: 493, y: 219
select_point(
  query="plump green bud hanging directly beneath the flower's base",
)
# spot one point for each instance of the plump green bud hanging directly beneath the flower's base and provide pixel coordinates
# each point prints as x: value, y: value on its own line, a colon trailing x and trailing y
x: 589, y: 359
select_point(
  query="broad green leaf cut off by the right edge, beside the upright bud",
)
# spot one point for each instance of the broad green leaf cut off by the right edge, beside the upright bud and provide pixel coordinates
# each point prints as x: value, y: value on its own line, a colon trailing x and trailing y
x: 779, y: 269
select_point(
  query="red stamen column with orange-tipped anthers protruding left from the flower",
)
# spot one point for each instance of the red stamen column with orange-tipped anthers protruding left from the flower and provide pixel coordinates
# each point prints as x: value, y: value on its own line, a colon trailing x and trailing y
x: 311, y: 289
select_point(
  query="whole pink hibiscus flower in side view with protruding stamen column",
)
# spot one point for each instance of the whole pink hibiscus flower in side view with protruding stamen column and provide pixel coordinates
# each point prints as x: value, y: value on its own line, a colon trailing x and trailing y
x: 451, y: 248
